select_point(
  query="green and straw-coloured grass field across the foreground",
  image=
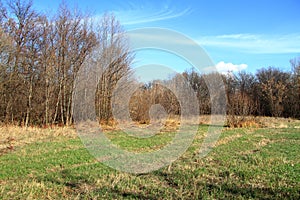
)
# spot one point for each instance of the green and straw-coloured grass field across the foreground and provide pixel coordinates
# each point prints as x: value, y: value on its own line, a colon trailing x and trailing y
x: 247, y: 163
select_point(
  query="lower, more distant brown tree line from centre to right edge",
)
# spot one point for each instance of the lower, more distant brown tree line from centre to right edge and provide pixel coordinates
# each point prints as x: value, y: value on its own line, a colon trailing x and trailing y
x: 269, y: 92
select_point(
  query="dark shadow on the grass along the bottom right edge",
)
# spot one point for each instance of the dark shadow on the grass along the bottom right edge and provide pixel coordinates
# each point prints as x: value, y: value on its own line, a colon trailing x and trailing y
x: 225, y: 189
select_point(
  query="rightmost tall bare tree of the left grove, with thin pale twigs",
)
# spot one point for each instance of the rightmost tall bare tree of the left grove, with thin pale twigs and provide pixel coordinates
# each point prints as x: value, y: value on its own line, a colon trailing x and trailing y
x: 114, y: 61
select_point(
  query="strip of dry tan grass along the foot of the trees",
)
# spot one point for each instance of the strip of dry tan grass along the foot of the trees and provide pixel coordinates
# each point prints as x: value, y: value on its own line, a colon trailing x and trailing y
x: 14, y: 136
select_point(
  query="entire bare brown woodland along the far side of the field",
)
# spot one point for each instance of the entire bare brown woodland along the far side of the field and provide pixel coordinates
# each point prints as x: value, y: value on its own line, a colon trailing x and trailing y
x: 40, y: 56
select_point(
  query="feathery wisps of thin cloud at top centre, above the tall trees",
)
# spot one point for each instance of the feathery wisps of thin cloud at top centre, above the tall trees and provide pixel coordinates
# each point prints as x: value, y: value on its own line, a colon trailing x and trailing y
x: 151, y: 12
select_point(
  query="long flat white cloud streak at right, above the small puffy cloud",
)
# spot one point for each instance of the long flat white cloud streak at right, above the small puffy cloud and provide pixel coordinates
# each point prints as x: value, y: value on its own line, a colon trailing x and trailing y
x: 251, y: 43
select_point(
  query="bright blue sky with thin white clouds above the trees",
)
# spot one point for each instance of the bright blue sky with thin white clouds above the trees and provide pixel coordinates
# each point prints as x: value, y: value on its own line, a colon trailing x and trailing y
x: 236, y: 34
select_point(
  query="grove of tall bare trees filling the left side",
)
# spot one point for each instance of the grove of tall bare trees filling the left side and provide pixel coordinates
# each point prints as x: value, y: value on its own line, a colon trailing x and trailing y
x: 40, y: 56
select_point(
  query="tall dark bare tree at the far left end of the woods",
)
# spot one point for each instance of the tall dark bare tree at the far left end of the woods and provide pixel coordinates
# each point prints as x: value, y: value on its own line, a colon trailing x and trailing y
x: 21, y: 26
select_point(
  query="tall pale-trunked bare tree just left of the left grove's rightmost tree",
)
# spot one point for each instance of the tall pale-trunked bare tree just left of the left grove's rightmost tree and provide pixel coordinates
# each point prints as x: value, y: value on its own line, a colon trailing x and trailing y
x: 74, y: 40
